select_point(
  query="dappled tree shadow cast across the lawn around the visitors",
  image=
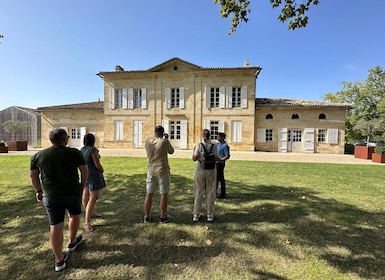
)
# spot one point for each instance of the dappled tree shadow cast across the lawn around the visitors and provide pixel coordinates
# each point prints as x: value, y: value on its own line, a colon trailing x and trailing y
x: 346, y: 237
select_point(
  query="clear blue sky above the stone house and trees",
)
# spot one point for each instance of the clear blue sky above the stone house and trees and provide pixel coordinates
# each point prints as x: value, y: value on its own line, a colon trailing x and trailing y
x: 52, y: 50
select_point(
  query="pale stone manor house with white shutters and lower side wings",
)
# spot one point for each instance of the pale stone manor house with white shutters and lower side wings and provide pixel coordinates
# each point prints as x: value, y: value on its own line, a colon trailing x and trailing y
x: 186, y: 98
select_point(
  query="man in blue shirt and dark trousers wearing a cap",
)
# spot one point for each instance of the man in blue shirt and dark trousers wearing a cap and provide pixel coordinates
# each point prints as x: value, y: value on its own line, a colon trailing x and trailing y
x: 223, y: 155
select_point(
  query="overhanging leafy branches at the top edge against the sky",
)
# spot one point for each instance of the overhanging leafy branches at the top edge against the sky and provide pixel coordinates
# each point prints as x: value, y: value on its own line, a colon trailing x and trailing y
x: 290, y: 11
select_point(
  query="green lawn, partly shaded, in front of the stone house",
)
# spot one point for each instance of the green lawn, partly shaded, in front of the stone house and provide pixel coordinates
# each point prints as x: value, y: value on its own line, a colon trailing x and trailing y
x: 280, y: 221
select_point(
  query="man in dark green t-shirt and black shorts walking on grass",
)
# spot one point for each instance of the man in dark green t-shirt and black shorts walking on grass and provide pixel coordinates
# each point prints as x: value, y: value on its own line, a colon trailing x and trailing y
x: 55, y: 178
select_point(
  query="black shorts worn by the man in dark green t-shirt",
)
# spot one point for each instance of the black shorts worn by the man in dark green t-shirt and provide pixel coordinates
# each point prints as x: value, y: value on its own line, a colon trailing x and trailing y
x: 56, y: 207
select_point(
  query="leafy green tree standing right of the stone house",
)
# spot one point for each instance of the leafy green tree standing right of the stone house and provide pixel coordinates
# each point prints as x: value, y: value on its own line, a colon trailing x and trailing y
x: 368, y: 101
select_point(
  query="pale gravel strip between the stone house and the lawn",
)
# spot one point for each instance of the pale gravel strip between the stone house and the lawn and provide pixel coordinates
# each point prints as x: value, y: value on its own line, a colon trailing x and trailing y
x: 258, y: 156
